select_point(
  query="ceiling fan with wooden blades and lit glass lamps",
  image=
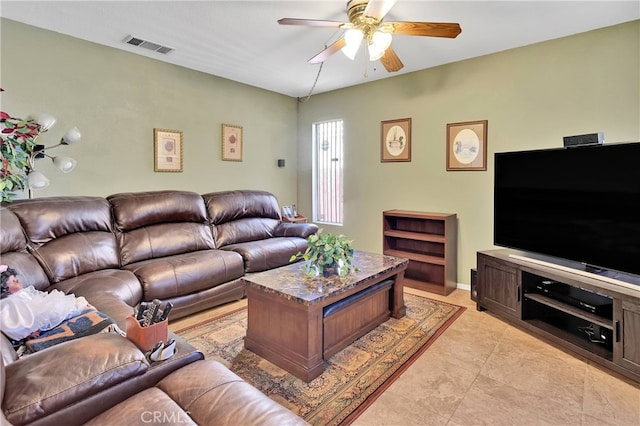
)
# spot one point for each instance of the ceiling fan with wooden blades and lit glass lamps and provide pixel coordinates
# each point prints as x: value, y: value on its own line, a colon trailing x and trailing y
x: 365, y: 23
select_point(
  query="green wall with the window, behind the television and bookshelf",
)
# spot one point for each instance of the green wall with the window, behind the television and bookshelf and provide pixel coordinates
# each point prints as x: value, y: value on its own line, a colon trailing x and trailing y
x: 531, y: 96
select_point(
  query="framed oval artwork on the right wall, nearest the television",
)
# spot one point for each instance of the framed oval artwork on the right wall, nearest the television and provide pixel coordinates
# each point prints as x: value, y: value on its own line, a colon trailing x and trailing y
x: 467, y: 145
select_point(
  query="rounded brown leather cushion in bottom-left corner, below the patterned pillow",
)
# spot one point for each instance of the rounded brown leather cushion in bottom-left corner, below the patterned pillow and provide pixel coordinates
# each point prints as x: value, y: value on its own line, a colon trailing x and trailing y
x: 47, y: 381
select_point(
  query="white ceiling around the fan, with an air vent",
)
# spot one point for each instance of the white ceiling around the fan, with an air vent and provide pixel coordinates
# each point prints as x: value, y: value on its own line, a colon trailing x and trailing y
x: 241, y: 40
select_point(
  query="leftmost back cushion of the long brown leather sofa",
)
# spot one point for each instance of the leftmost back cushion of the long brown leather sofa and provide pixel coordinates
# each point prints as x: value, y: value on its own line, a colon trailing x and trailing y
x: 70, y: 236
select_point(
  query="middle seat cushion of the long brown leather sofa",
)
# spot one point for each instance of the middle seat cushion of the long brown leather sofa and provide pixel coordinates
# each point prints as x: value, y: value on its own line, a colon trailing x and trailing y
x: 186, y: 273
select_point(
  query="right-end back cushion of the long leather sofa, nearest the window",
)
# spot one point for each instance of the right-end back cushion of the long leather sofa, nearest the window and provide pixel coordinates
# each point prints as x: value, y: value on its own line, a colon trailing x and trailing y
x: 241, y: 216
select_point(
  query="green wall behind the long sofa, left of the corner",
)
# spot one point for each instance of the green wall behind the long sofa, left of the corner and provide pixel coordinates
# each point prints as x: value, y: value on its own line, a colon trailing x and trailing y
x: 117, y: 98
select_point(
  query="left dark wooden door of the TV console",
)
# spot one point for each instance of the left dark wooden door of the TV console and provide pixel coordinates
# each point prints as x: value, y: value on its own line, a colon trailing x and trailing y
x: 499, y: 287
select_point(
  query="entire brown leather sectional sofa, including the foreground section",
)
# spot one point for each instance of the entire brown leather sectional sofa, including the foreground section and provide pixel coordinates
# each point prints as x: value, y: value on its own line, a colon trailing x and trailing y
x: 177, y: 246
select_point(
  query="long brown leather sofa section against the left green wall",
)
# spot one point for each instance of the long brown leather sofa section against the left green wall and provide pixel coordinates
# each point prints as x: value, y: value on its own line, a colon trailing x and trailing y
x: 177, y: 246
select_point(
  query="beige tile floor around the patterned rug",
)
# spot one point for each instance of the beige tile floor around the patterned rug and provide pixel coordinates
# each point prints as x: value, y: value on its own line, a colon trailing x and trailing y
x: 483, y: 371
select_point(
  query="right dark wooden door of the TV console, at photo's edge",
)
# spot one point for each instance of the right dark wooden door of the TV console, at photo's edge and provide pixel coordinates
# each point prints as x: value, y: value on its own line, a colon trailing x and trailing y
x: 626, y: 350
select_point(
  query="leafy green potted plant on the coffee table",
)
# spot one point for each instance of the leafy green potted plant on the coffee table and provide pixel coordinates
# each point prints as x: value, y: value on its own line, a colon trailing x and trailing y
x: 327, y: 254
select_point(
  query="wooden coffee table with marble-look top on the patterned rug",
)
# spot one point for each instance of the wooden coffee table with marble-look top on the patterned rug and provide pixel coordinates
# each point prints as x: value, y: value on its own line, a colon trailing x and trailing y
x: 297, y: 321
